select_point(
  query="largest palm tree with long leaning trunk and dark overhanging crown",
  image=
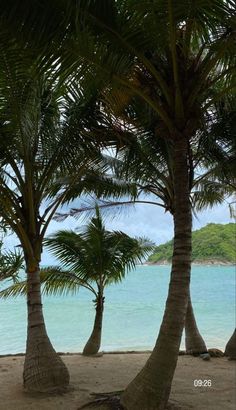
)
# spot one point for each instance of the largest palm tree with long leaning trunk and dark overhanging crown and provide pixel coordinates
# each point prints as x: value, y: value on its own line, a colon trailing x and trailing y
x: 178, y: 58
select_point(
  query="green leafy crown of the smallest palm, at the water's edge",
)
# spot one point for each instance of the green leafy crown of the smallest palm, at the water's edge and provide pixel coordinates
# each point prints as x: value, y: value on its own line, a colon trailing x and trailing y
x: 96, y: 254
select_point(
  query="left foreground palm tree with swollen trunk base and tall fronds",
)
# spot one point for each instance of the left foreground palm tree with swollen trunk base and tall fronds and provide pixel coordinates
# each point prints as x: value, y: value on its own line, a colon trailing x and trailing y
x: 42, y: 158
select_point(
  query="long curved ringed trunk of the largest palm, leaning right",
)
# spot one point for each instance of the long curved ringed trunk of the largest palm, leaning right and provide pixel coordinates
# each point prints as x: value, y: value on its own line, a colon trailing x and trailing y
x: 151, y: 388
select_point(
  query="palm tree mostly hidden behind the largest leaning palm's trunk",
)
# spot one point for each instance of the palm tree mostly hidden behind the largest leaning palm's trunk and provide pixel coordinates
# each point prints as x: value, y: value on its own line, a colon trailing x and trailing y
x: 215, y: 164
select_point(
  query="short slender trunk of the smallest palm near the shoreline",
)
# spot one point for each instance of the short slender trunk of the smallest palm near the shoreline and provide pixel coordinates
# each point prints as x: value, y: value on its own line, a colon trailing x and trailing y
x: 94, y: 342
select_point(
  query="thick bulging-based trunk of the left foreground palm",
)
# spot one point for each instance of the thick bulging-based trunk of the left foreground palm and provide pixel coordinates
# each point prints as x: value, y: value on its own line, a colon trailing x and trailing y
x: 44, y: 371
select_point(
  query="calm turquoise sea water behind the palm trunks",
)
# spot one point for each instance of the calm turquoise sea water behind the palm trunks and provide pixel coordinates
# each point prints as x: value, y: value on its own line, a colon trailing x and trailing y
x: 133, y: 312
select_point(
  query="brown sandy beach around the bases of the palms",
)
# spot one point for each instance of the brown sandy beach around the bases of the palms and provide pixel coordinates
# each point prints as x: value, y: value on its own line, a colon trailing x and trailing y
x: 112, y: 372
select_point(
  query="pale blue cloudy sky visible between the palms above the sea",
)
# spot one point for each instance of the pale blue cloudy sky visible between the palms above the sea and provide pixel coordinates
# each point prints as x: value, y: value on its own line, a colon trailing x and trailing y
x: 140, y: 220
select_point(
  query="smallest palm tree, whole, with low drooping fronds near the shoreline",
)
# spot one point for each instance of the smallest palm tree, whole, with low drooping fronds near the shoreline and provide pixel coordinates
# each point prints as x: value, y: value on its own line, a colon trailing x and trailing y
x: 94, y: 259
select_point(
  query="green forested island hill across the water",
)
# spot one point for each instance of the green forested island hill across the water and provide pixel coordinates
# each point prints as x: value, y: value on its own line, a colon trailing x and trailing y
x: 212, y: 244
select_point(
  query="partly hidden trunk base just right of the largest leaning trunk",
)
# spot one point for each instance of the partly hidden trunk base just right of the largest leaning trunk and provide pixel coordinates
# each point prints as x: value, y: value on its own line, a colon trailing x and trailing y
x: 194, y: 342
